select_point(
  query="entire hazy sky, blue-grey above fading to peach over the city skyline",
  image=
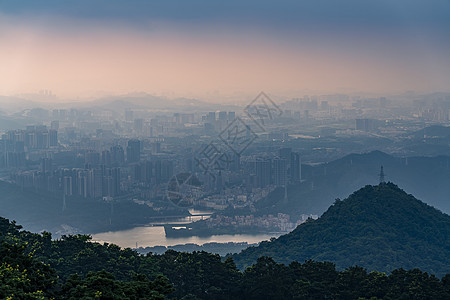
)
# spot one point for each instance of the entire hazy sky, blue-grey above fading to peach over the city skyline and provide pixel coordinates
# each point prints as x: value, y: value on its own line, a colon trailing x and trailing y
x: 200, y: 47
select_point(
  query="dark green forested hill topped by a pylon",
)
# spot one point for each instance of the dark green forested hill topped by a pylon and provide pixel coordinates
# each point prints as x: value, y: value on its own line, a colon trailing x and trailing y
x: 378, y: 227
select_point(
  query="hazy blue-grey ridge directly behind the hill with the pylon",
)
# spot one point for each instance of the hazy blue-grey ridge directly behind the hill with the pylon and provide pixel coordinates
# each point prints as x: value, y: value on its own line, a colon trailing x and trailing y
x: 425, y: 177
